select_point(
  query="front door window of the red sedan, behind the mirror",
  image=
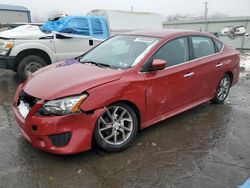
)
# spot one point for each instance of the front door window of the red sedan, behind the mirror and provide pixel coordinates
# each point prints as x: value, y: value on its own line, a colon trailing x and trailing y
x: 174, y: 52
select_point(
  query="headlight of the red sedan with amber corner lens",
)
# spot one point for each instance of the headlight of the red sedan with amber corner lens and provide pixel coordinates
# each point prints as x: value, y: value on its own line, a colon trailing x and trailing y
x: 62, y: 106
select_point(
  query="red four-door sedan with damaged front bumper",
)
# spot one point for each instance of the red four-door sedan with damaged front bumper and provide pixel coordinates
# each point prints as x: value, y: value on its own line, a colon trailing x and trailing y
x: 125, y: 84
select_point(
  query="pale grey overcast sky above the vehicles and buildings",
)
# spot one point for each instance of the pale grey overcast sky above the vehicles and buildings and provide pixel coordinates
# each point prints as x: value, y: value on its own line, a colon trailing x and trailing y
x: 164, y: 7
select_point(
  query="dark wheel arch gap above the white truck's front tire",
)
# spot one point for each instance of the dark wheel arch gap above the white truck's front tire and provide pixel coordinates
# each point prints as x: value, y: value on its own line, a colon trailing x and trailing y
x: 33, y: 51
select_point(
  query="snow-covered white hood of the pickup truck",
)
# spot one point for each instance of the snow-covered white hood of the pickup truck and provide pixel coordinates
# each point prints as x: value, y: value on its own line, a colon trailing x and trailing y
x: 23, y: 32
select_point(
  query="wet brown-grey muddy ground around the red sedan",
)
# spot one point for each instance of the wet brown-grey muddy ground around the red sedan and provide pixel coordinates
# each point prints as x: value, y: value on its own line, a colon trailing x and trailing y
x: 208, y: 146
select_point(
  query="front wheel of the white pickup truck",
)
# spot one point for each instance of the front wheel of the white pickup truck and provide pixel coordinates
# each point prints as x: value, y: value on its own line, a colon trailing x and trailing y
x: 29, y: 65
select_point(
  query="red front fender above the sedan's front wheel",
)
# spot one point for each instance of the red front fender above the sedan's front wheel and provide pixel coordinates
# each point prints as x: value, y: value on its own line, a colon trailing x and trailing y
x: 120, y: 90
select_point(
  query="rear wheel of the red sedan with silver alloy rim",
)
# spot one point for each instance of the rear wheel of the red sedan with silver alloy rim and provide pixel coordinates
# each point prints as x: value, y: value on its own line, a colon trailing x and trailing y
x: 222, y: 89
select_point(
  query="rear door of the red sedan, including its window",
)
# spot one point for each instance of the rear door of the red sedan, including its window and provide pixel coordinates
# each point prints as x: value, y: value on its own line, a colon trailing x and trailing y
x: 207, y: 66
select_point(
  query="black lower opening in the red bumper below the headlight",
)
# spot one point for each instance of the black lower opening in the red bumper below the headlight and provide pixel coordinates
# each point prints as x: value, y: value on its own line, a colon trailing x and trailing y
x: 60, y: 140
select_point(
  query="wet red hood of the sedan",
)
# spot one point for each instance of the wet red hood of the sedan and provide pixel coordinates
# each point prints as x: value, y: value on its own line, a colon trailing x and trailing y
x: 68, y: 78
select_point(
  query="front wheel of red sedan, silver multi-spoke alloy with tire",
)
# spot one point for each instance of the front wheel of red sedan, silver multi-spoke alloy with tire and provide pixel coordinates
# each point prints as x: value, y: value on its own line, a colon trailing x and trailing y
x: 116, y: 128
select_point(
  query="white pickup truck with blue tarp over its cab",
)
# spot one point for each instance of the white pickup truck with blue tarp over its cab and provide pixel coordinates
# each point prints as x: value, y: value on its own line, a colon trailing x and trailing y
x: 27, y: 48
